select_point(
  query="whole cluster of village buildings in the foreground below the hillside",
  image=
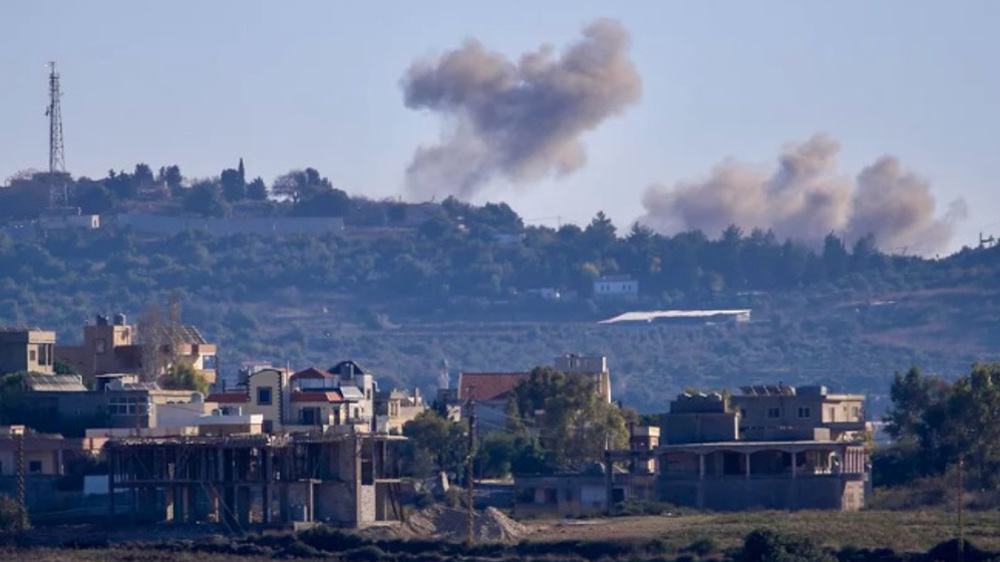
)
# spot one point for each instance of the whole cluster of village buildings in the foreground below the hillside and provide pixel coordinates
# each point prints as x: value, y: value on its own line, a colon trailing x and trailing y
x: 286, y: 447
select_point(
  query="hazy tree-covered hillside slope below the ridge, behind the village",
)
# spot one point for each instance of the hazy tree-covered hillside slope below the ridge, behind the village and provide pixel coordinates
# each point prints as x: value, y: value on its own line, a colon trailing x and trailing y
x: 453, y: 288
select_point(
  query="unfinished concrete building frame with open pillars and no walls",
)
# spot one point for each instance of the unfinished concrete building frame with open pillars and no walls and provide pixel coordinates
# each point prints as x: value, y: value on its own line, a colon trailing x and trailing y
x: 246, y: 480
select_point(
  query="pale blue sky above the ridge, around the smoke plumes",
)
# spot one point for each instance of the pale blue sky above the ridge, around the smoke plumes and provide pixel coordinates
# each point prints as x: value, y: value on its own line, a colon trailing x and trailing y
x: 287, y: 85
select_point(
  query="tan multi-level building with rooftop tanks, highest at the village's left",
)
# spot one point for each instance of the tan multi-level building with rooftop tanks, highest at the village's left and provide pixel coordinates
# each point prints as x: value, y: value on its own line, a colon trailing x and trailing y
x: 117, y: 347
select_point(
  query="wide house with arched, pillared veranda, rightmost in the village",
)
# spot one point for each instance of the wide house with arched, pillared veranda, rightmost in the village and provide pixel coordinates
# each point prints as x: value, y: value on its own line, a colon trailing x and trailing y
x: 746, y: 455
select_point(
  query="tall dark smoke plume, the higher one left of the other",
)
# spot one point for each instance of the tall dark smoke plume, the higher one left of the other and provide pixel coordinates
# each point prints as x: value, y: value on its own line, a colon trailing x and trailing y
x: 519, y: 121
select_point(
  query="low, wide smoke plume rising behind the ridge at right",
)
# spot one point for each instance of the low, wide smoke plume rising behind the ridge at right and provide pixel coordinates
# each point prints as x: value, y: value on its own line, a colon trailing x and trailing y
x: 806, y: 198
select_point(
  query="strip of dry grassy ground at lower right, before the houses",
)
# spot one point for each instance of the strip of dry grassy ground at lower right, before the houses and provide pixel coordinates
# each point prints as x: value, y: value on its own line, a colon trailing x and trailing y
x: 900, y: 530
